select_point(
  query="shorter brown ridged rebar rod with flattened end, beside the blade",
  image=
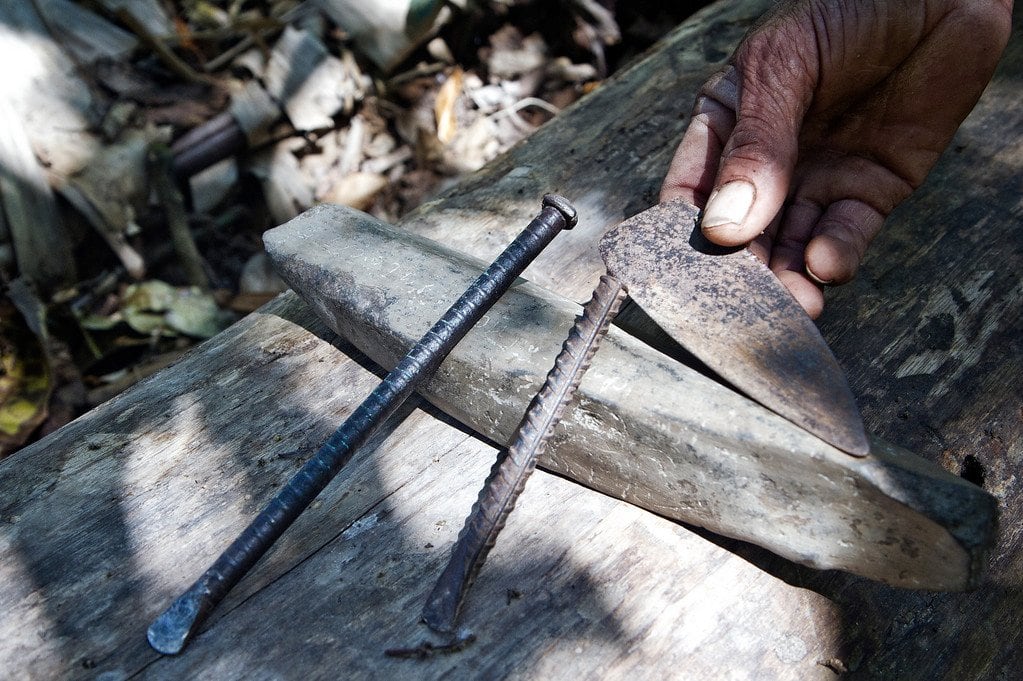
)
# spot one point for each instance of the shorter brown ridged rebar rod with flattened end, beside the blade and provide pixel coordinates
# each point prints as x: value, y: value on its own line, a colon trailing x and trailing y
x: 514, y: 467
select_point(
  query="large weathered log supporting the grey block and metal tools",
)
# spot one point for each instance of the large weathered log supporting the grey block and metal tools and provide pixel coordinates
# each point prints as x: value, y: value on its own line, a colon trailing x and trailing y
x: 108, y: 520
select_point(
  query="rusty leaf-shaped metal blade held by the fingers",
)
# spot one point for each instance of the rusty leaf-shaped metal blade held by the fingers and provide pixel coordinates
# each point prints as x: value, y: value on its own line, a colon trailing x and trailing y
x: 727, y: 308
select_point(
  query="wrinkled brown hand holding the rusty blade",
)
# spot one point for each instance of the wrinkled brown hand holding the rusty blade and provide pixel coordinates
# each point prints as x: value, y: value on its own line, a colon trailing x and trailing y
x: 830, y: 114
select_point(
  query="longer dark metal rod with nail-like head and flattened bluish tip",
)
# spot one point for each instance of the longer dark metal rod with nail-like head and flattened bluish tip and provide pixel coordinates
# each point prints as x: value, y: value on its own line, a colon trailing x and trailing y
x: 174, y: 628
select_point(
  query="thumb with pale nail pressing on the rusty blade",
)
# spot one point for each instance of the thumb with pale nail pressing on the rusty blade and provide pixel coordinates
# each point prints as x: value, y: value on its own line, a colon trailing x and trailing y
x: 760, y: 156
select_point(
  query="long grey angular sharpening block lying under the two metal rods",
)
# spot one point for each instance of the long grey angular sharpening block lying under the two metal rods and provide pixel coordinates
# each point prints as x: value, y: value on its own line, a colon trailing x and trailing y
x: 645, y: 429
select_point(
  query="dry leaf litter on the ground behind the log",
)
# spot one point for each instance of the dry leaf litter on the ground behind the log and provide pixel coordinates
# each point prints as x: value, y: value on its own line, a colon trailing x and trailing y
x: 172, y: 134
